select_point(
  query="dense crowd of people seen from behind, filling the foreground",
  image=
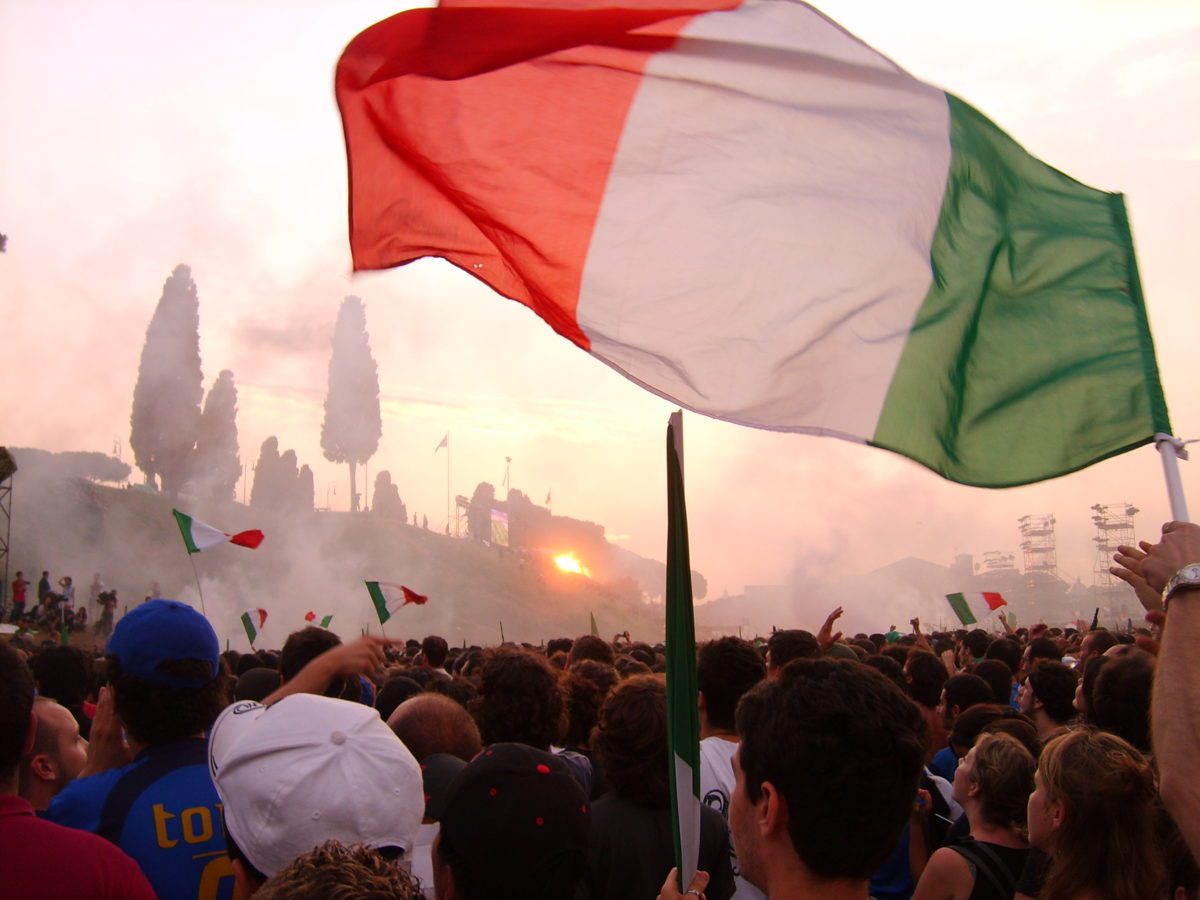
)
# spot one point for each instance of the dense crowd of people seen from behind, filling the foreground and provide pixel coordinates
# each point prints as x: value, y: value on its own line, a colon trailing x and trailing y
x: 1053, y: 764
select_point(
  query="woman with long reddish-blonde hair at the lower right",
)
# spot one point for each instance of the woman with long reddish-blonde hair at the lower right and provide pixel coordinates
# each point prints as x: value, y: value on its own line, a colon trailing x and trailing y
x: 1095, y: 811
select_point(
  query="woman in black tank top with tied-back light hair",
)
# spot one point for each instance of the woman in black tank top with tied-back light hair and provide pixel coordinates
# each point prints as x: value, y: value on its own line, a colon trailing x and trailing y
x: 992, y: 784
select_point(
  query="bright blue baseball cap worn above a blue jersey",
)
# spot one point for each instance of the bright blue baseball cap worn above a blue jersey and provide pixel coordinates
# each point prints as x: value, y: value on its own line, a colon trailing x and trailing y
x: 165, y: 632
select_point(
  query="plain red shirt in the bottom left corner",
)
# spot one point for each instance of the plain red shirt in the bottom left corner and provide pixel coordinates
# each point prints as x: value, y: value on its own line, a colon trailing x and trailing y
x: 44, y: 861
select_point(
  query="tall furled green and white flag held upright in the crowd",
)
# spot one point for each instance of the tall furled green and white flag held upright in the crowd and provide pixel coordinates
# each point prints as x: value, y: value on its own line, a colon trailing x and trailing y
x: 683, y: 715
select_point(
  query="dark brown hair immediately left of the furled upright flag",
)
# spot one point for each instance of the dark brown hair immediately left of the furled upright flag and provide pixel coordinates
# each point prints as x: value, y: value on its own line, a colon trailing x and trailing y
x: 632, y: 741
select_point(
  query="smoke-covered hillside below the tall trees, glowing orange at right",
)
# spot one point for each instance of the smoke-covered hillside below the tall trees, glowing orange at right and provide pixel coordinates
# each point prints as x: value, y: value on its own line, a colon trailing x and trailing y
x: 314, y: 561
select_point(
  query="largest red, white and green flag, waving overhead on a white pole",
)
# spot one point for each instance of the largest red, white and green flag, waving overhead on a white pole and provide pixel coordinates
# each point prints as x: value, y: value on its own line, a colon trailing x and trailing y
x: 747, y: 211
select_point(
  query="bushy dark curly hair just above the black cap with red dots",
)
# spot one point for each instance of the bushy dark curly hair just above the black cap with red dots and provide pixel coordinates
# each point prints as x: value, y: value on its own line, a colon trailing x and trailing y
x: 521, y: 700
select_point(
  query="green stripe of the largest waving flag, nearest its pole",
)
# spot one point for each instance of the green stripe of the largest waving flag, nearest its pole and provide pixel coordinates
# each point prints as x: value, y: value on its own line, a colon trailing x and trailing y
x: 1031, y: 356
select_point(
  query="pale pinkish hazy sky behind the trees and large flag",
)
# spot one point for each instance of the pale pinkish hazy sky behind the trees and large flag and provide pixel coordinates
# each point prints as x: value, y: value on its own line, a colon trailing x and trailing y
x: 136, y: 136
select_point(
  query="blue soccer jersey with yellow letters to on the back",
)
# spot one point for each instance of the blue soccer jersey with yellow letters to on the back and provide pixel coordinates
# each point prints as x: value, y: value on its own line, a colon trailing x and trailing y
x: 164, y: 811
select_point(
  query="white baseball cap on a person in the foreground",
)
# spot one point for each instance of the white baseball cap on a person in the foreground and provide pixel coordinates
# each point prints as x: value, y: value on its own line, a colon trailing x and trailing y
x: 310, y: 769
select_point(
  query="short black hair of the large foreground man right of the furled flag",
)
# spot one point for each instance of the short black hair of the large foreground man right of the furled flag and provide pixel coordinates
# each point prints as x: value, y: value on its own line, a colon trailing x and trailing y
x: 844, y: 748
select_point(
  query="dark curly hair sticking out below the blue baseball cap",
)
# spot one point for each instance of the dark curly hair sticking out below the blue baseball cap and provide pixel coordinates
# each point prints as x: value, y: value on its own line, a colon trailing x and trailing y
x: 158, y: 715
